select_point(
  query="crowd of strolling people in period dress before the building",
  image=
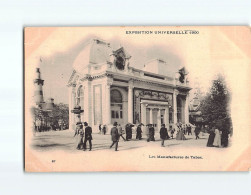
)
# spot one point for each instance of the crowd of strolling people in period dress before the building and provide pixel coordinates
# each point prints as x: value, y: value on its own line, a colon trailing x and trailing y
x: 217, y: 138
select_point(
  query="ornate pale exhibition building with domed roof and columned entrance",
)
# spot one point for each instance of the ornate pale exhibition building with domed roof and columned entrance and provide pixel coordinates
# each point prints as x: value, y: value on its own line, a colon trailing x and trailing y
x: 108, y: 89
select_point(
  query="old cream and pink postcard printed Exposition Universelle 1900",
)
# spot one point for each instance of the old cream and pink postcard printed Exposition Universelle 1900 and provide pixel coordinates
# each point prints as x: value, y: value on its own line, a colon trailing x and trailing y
x: 142, y: 98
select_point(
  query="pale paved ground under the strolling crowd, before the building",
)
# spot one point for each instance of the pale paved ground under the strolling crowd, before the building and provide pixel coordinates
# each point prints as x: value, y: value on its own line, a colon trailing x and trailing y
x: 64, y: 140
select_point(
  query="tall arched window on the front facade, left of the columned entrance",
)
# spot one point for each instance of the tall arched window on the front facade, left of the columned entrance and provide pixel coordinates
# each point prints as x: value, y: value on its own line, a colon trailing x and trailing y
x: 116, y: 104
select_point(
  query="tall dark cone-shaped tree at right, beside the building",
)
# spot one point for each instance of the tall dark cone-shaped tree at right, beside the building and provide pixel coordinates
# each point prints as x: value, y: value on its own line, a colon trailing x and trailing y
x: 215, y: 105
